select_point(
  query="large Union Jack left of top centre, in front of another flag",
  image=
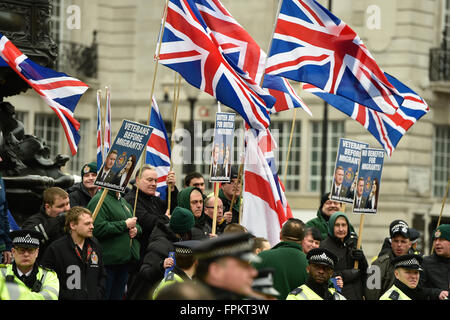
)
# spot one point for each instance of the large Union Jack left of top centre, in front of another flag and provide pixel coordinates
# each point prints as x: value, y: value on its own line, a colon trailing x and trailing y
x: 190, y: 48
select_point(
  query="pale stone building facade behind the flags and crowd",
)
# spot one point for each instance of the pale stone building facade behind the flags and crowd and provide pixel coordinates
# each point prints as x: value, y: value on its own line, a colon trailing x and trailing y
x: 406, y: 37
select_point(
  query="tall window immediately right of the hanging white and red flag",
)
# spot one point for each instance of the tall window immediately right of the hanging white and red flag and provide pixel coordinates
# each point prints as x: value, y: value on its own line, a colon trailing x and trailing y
x: 282, y: 132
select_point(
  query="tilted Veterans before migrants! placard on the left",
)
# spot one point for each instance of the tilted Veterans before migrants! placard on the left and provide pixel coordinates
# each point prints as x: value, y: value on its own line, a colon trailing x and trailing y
x: 123, y: 156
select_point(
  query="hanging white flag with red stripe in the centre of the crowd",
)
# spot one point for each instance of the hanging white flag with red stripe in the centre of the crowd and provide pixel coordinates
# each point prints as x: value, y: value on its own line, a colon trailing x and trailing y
x: 264, y: 211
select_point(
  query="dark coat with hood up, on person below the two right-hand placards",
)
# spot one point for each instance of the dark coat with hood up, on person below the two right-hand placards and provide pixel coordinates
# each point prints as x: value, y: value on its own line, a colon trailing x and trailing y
x: 354, y: 279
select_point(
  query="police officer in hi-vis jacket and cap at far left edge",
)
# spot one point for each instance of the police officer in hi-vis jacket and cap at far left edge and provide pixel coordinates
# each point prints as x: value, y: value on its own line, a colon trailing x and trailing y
x: 24, y: 279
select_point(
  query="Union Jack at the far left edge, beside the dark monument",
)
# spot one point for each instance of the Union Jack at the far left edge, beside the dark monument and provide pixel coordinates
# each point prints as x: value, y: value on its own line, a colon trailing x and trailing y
x: 60, y: 91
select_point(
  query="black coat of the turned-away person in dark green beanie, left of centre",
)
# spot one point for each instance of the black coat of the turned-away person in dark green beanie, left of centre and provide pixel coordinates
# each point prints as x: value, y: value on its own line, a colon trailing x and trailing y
x: 152, y: 271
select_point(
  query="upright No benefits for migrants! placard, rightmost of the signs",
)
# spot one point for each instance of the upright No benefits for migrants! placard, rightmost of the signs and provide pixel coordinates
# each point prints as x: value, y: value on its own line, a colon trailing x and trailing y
x: 368, y: 181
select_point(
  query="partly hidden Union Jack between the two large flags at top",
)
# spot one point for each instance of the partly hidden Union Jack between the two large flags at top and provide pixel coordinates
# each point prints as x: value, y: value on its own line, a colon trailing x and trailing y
x: 242, y: 49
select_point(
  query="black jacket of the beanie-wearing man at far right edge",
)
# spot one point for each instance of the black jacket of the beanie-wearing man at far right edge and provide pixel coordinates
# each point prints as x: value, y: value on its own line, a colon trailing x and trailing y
x: 435, y: 276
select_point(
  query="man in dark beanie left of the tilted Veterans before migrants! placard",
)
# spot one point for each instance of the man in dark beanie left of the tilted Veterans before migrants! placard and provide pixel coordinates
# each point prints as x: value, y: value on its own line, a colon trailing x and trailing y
x: 81, y: 193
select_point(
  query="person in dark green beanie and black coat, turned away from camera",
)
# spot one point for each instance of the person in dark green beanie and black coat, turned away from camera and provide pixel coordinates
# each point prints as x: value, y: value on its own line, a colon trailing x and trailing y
x: 161, y: 243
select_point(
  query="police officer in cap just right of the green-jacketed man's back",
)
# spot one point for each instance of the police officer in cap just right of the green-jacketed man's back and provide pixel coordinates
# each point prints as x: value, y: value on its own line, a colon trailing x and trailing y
x: 317, y: 287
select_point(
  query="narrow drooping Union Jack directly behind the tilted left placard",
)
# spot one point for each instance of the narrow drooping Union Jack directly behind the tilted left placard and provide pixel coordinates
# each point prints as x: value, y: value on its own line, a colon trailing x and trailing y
x: 158, y: 150
